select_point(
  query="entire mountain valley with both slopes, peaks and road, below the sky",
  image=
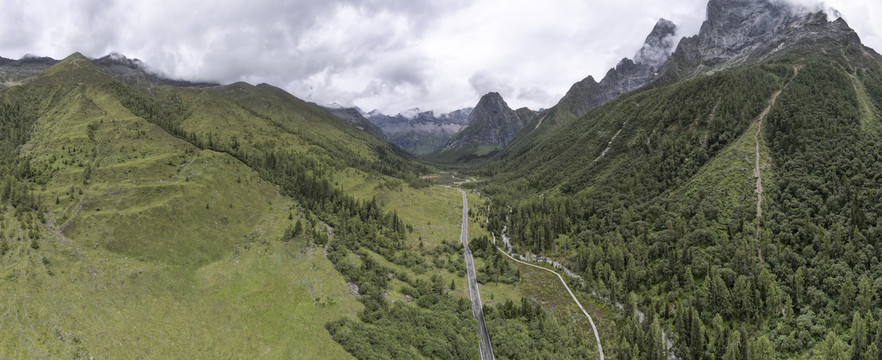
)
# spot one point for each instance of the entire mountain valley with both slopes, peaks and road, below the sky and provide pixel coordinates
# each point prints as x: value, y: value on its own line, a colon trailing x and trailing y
x: 715, y: 196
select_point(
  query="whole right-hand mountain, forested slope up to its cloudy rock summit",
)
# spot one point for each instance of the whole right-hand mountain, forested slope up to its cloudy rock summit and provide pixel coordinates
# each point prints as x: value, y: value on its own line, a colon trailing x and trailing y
x: 717, y: 199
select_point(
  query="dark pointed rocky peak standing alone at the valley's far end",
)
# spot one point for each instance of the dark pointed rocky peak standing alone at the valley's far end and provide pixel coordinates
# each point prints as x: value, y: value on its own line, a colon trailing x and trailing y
x: 492, y: 122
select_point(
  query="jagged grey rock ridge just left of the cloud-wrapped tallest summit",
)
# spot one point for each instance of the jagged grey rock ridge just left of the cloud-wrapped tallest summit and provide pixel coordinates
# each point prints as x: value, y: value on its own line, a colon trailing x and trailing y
x: 627, y: 76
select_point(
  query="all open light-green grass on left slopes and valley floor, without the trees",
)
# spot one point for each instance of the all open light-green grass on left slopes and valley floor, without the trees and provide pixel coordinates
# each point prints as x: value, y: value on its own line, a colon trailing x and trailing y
x: 154, y: 248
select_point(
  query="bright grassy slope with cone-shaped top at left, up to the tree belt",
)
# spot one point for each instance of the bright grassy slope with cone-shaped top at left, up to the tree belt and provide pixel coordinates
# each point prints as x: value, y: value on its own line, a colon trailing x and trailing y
x: 159, y: 252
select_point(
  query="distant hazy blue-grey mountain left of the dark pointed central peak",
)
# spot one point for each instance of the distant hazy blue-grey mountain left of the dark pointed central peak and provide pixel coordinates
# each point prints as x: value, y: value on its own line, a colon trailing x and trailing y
x: 419, y: 132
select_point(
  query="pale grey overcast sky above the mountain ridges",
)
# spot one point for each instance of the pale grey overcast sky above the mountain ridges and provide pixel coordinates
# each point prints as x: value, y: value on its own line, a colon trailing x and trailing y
x: 390, y: 55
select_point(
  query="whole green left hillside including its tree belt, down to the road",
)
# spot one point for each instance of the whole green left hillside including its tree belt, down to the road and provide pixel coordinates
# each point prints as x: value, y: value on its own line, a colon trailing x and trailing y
x: 231, y: 221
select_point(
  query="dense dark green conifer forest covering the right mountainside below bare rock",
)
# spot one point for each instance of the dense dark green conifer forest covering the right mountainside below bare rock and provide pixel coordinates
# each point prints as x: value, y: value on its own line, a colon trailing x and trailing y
x: 690, y: 260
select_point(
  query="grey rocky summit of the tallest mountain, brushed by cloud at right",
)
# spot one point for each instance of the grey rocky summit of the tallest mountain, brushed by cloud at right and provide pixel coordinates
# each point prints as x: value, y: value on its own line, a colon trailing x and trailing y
x: 742, y: 31
